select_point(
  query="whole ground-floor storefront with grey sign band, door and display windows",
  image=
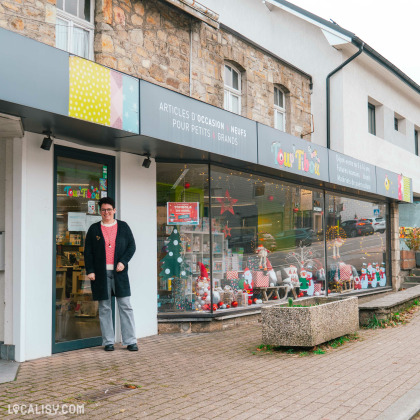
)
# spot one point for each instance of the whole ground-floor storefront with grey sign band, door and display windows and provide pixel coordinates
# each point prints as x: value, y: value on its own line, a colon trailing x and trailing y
x: 225, y: 208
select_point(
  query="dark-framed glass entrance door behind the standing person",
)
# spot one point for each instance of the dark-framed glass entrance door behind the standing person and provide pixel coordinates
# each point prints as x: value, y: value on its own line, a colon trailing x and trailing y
x: 81, y: 179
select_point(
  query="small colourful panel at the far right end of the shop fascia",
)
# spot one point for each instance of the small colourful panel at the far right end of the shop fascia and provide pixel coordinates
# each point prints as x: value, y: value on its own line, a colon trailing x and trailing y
x: 393, y: 185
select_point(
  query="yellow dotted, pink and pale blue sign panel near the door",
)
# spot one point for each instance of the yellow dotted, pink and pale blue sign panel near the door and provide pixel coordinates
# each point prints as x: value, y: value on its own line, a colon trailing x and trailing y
x: 103, y: 96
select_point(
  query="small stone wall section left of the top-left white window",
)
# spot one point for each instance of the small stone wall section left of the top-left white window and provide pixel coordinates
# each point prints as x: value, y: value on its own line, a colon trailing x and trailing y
x: 32, y: 18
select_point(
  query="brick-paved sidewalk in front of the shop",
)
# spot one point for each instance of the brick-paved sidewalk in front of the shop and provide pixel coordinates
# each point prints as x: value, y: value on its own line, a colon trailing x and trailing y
x: 216, y: 376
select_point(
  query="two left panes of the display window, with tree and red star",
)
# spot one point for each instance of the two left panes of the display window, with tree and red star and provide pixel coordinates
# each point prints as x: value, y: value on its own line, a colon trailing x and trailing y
x: 246, y: 234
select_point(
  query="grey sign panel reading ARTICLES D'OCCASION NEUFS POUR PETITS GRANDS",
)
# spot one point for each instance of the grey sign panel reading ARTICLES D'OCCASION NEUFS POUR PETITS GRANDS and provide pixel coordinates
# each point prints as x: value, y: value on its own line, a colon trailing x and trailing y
x: 176, y: 118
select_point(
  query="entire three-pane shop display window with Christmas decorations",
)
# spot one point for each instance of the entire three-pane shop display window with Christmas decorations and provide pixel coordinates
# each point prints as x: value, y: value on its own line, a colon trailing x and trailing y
x: 231, y: 239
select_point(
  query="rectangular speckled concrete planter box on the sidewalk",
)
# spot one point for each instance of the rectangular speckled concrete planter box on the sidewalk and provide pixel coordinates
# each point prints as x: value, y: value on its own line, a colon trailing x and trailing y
x: 310, y: 325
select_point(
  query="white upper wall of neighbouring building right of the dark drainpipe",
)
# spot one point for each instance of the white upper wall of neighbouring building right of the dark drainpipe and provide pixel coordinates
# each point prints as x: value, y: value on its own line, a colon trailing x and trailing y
x: 389, y: 149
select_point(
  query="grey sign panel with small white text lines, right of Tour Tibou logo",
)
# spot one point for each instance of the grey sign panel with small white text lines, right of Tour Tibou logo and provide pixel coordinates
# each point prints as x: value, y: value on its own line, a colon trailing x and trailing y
x: 352, y: 173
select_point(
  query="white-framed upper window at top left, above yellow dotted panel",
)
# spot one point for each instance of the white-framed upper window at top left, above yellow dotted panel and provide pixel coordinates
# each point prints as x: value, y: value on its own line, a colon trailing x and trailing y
x: 74, y: 27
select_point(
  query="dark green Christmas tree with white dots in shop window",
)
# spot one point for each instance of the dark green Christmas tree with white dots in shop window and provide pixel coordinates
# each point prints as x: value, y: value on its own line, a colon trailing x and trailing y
x: 174, y: 268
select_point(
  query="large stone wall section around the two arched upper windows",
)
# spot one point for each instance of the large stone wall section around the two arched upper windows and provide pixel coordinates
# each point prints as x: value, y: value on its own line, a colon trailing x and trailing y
x: 152, y: 41
